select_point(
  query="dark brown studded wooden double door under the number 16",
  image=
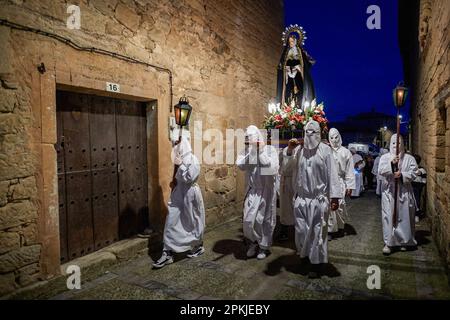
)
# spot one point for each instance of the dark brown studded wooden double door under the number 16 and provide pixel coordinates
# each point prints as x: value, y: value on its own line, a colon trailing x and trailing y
x: 102, y: 171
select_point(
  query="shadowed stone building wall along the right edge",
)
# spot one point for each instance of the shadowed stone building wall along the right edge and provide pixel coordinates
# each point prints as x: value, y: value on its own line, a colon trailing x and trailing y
x: 425, y: 40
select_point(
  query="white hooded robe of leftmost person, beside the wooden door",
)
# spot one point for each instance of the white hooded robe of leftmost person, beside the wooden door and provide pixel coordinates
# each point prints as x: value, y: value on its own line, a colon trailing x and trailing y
x: 185, y: 221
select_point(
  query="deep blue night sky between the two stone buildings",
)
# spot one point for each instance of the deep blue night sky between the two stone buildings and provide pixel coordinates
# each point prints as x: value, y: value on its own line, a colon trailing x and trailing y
x: 356, y: 68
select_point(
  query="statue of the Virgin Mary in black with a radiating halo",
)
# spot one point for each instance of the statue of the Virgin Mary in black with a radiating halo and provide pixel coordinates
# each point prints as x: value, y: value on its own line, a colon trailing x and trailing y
x: 294, y: 78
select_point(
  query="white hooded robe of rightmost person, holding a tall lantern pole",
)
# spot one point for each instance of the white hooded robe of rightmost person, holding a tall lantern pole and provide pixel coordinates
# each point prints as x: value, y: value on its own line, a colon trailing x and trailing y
x: 403, y: 235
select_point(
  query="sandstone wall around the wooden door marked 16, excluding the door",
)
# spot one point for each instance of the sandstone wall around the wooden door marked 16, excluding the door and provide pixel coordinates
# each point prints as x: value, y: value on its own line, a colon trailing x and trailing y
x: 221, y: 54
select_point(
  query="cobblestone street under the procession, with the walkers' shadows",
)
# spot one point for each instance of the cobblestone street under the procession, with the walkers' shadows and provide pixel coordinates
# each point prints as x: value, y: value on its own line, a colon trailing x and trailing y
x: 223, y: 272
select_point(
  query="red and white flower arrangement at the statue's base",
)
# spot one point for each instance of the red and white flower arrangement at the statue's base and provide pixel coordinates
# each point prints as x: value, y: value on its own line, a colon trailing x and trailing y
x: 290, y: 120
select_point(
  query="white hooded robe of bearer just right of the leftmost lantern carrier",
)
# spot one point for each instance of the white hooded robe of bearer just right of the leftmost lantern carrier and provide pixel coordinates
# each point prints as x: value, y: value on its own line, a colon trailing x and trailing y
x: 260, y: 201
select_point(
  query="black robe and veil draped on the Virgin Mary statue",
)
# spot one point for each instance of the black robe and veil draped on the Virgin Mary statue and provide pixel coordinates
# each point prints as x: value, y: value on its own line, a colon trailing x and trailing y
x: 306, y: 83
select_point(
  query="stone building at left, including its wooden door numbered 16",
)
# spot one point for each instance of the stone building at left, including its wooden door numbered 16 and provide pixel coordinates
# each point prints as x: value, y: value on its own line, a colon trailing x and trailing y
x: 84, y: 117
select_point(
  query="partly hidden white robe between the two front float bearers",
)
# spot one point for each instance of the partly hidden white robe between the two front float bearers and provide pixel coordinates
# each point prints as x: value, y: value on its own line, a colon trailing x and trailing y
x: 286, y: 187
